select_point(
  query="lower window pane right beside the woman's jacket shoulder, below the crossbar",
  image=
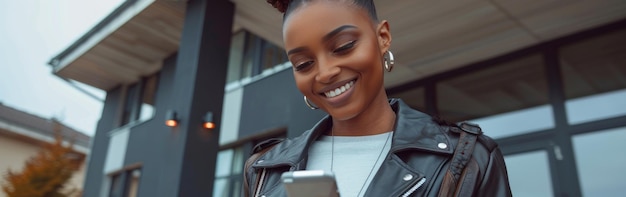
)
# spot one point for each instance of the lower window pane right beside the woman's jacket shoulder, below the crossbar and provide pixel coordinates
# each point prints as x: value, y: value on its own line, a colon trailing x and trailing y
x: 529, y: 174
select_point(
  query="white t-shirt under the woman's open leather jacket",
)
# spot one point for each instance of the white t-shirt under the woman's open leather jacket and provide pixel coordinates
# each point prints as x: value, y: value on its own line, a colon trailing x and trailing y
x: 353, y: 160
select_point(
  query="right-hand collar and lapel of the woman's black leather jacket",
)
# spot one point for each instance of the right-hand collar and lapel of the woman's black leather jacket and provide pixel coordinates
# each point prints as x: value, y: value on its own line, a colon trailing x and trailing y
x: 414, y: 131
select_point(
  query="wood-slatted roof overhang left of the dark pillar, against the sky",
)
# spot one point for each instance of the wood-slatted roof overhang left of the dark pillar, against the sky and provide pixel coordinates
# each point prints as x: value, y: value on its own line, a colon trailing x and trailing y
x: 128, y: 44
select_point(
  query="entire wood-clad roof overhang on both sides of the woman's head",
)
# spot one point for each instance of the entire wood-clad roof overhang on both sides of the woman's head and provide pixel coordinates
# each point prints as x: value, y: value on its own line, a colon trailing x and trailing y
x: 429, y: 37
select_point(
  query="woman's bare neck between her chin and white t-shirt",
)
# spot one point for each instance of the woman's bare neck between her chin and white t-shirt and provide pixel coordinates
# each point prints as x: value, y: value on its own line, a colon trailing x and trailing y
x: 376, y: 119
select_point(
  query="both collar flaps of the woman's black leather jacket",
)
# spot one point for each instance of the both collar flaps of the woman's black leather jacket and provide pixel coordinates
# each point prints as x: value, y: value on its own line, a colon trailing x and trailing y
x: 414, y: 130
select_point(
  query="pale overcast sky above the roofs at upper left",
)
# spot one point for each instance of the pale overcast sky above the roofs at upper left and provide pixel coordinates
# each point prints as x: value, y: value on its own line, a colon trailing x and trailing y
x: 31, y: 33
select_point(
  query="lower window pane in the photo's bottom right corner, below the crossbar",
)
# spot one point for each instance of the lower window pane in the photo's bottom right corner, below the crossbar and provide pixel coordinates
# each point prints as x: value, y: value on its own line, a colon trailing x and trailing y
x: 600, y: 162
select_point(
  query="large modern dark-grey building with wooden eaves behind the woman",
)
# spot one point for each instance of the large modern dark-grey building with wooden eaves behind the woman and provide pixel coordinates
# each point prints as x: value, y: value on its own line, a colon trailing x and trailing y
x: 546, y: 79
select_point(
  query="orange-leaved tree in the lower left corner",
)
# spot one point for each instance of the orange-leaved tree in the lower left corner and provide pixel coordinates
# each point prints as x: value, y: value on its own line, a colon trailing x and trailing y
x: 45, y: 174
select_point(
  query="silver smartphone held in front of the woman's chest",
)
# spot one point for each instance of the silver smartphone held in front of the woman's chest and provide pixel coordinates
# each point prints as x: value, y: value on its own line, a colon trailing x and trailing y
x: 310, y: 183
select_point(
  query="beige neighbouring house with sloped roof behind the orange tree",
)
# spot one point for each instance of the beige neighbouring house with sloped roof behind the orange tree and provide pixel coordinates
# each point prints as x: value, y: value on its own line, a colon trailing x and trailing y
x: 23, y: 135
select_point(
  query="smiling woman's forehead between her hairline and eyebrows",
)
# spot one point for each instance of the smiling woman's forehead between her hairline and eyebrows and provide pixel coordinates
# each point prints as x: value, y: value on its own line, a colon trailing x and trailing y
x: 314, y: 19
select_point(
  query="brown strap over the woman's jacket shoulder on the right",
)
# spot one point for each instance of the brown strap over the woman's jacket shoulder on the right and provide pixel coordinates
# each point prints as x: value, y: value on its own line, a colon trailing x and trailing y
x: 462, y: 155
